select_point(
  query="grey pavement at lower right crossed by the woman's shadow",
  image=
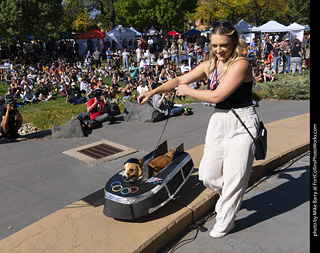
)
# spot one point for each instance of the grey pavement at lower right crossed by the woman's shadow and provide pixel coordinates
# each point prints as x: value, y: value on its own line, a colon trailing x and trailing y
x: 273, y: 217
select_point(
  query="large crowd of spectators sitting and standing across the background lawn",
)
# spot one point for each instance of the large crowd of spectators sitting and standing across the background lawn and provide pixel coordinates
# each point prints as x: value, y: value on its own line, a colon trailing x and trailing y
x: 31, y: 80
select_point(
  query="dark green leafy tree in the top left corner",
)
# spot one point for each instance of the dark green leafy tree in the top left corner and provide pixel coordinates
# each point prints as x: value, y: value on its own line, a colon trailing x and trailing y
x: 21, y: 18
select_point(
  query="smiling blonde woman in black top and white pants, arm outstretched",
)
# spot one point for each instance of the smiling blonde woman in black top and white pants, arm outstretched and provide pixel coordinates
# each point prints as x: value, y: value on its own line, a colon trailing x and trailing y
x: 229, y: 150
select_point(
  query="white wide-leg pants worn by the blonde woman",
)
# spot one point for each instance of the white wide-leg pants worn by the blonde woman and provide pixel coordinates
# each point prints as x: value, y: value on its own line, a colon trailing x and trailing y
x: 227, y: 161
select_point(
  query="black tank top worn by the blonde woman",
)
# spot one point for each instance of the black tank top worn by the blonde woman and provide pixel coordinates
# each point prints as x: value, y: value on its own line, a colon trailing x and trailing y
x: 238, y: 99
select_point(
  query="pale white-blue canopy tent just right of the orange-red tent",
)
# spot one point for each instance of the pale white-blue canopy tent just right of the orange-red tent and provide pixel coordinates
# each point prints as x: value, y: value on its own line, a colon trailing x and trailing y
x: 119, y: 33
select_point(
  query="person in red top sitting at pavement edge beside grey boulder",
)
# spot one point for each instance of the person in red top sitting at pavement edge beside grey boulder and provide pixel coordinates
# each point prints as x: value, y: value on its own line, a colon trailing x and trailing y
x: 97, y: 108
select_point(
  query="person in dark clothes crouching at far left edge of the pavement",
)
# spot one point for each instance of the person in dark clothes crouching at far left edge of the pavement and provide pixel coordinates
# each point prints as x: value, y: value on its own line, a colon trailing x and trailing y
x: 10, y: 120
